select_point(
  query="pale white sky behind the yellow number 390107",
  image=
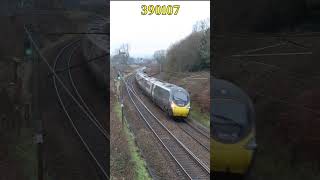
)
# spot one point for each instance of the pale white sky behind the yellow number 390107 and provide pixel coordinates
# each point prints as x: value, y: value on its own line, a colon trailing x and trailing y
x: 148, y: 33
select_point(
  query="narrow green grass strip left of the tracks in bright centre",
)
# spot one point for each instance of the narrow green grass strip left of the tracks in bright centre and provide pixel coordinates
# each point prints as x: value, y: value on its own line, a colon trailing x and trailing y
x: 140, y: 167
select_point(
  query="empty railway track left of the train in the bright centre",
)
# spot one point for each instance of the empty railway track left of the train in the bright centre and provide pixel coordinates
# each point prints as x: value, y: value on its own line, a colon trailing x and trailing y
x: 191, y: 166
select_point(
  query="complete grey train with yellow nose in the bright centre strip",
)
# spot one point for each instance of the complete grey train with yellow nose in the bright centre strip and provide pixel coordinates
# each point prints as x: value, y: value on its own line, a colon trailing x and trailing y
x: 172, y: 99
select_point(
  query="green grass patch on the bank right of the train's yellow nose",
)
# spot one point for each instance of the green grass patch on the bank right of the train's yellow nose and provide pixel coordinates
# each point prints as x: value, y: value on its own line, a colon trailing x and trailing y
x: 201, y: 117
